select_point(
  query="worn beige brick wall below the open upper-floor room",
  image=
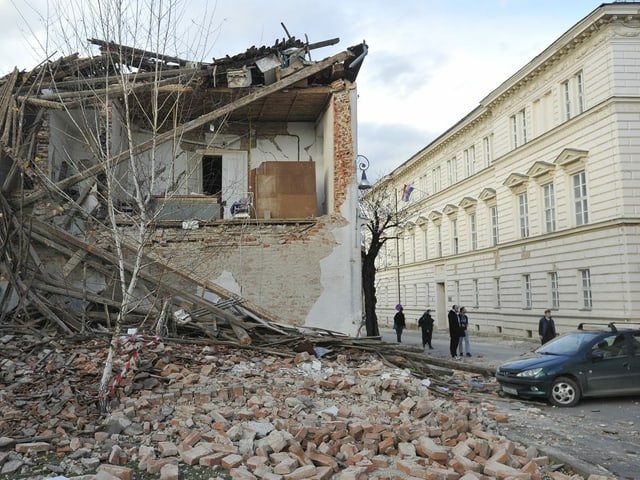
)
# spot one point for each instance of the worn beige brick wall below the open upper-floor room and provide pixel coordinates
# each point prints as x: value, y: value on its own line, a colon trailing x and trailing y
x: 277, y: 266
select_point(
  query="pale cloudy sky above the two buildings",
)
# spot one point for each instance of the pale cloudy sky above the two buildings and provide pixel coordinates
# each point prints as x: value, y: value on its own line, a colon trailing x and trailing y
x: 429, y: 63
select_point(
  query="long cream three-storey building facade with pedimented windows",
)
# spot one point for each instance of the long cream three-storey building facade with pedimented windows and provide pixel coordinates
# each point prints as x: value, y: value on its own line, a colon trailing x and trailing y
x: 531, y: 201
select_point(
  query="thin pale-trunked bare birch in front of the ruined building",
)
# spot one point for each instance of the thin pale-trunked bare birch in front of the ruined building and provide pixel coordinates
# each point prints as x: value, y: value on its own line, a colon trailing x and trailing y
x: 111, y: 113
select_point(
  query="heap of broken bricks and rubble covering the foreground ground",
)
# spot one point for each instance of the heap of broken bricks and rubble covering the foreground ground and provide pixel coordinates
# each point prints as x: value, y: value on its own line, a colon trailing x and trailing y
x: 245, y: 414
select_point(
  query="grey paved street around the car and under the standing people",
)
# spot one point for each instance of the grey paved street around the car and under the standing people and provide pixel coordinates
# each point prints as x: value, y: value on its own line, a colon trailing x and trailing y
x: 595, y: 435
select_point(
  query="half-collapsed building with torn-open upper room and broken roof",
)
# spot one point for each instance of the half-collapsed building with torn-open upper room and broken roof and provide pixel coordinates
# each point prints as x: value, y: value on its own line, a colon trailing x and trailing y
x: 241, y: 172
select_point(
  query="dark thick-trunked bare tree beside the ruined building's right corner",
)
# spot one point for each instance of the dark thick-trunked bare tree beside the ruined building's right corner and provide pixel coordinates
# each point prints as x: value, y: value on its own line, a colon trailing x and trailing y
x: 379, y: 206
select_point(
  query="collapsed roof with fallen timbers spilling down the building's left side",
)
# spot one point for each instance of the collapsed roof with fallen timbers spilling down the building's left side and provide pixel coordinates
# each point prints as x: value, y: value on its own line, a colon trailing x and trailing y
x: 276, y: 83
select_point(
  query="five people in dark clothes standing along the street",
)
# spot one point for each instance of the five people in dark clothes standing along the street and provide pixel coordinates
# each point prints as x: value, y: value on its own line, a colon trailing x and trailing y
x: 459, y: 329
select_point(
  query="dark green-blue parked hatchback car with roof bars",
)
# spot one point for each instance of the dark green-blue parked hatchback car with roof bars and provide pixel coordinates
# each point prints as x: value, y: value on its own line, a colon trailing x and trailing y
x: 596, y: 360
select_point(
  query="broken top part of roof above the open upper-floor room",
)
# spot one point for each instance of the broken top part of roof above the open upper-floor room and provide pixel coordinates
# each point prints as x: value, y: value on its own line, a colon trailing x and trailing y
x: 72, y: 80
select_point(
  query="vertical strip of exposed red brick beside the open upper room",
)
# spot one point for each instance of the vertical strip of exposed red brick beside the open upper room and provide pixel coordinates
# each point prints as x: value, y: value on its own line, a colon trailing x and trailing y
x: 344, y: 171
